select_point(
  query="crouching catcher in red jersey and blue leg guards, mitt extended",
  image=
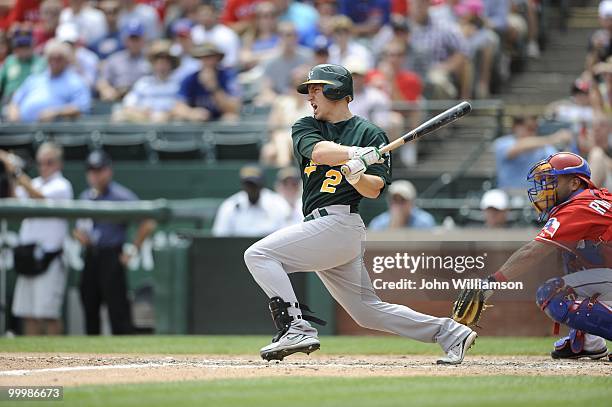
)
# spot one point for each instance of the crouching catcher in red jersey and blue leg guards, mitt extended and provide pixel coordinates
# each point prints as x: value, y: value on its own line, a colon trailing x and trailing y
x: 576, y: 237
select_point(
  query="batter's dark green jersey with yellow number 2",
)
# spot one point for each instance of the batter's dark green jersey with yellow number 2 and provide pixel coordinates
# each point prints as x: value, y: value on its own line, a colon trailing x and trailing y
x: 325, y: 185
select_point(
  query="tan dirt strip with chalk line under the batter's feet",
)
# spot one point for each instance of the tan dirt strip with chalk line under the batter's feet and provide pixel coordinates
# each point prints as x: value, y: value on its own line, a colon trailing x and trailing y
x: 73, y: 369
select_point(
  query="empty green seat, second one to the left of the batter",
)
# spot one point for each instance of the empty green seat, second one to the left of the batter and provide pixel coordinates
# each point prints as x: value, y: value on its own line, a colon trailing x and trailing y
x: 178, y: 142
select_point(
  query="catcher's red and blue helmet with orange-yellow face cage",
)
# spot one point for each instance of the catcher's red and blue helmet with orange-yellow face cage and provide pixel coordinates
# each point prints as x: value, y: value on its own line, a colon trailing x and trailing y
x: 544, y: 178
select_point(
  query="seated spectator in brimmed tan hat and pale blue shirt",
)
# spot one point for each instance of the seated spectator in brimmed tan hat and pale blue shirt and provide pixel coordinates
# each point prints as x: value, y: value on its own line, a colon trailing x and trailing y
x: 153, y: 97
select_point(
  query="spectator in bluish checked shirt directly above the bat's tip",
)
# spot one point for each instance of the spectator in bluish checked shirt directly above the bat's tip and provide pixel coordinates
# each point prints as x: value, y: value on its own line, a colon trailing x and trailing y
x: 440, y: 55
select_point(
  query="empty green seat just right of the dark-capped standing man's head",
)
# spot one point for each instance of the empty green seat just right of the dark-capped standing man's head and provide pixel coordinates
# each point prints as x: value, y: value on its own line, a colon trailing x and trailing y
x: 126, y: 142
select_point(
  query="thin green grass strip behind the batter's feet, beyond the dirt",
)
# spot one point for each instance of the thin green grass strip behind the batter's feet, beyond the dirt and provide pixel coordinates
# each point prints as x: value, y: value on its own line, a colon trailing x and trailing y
x: 236, y: 345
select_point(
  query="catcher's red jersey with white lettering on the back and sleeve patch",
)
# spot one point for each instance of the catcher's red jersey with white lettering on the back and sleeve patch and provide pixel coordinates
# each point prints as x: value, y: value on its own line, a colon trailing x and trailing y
x: 582, y: 228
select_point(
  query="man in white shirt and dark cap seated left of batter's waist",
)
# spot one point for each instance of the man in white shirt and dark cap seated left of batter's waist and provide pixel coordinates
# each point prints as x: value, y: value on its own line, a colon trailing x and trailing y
x: 254, y: 211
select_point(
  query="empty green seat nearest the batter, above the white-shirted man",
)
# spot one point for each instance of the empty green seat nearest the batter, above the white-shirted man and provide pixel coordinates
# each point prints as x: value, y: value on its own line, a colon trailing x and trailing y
x: 240, y: 141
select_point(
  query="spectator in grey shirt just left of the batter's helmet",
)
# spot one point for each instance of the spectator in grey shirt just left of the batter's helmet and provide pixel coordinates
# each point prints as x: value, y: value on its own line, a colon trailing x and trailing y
x: 277, y: 70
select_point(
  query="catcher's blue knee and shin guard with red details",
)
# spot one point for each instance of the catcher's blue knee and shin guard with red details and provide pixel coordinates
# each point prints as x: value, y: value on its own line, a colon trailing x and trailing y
x: 560, y: 303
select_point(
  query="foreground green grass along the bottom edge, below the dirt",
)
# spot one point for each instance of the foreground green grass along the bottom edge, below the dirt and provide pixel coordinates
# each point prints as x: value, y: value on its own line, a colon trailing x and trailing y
x: 325, y: 391
